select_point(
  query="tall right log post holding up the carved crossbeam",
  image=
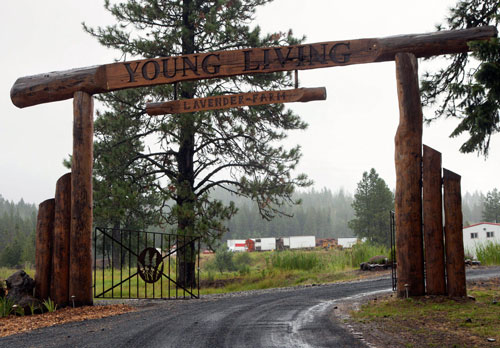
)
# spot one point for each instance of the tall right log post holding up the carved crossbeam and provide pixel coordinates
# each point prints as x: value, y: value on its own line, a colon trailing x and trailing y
x: 408, y: 200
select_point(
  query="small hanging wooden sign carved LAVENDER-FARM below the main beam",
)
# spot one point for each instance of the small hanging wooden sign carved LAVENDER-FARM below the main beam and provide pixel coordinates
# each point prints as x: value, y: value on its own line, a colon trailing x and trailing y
x: 236, y: 100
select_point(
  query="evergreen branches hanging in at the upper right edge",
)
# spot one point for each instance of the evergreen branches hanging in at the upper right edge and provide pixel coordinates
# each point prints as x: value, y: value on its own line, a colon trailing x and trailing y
x: 469, y: 88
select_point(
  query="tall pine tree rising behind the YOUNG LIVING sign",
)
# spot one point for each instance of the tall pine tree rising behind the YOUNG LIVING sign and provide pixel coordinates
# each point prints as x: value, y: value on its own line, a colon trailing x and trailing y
x: 191, y: 154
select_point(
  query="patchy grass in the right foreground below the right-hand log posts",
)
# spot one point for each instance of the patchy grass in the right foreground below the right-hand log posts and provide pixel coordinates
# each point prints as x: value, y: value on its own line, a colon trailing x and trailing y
x: 436, y: 321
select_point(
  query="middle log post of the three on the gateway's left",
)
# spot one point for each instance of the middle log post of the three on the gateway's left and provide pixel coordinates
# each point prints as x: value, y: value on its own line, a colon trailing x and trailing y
x: 60, y: 251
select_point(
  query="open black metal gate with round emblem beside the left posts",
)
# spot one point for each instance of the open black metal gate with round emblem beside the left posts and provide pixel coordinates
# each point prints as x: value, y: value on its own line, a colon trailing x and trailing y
x: 138, y: 264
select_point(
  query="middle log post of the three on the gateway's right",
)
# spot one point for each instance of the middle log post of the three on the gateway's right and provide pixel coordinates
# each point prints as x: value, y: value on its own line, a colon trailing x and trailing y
x: 433, y: 222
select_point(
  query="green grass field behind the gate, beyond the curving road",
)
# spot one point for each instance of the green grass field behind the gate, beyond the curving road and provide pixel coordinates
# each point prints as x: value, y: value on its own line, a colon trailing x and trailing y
x: 258, y: 270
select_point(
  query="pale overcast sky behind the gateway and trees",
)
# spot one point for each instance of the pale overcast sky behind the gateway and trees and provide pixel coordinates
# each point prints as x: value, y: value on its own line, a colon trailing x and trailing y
x: 351, y: 132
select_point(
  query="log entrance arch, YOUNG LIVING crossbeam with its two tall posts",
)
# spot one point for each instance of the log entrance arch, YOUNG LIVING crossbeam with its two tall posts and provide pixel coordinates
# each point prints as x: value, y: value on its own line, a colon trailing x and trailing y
x: 81, y: 84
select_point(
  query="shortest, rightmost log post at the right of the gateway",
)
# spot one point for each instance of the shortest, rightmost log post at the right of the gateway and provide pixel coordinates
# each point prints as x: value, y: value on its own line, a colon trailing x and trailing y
x: 455, y: 263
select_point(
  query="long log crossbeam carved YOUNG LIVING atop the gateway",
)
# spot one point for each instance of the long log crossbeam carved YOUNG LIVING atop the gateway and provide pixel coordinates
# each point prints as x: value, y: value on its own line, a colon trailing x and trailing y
x: 61, y: 85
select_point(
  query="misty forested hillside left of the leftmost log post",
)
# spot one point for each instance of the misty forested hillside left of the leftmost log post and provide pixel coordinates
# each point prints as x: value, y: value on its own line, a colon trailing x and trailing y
x: 17, y: 232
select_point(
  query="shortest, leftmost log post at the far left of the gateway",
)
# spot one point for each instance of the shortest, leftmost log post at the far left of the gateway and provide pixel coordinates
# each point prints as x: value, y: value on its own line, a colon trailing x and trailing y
x: 43, y: 251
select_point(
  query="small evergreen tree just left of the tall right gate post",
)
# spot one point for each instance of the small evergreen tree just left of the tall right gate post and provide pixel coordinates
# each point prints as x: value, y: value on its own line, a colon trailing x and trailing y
x: 372, y: 204
